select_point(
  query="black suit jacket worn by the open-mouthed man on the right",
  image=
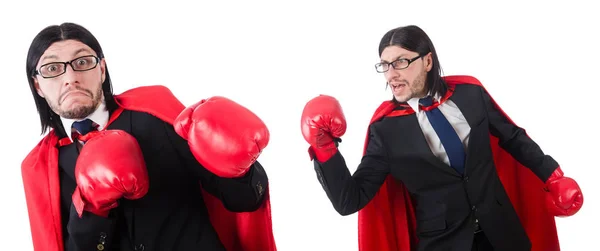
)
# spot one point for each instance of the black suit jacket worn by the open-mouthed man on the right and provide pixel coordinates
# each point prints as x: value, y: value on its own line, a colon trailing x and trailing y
x: 446, y: 202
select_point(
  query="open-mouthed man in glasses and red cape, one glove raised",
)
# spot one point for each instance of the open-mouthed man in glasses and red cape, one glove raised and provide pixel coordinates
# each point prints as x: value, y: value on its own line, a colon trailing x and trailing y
x: 443, y: 167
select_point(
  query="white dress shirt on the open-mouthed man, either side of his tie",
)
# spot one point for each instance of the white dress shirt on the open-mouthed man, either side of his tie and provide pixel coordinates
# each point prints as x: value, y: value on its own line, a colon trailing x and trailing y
x: 453, y: 115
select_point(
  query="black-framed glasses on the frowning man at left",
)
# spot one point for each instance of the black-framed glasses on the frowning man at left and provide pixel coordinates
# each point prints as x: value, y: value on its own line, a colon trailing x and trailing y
x: 55, y: 69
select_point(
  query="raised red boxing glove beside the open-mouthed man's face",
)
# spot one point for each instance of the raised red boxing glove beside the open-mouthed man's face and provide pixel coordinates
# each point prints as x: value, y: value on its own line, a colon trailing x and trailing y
x: 322, y: 123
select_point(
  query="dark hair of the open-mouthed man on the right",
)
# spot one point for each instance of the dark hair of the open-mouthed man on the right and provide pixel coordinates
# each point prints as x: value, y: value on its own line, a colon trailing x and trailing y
x: 413, y: 38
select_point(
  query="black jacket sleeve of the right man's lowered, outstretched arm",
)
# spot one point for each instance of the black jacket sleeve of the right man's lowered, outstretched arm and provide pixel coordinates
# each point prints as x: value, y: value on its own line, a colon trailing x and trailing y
x: 515, y: 141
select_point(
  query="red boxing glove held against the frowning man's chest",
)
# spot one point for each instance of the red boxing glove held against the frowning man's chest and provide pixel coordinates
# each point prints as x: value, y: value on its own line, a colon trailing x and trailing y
x: 109, y: 167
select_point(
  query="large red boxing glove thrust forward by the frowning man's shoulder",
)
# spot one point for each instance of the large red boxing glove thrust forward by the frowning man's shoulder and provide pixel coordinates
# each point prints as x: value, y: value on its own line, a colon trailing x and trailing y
x: 225, y: 137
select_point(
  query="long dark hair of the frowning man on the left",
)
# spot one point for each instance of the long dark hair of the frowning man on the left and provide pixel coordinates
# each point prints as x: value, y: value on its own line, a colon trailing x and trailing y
x: 41, y: 42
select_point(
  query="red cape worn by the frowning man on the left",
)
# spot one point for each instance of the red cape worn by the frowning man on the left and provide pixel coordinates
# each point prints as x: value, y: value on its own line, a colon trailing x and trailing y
x: 238, y: 231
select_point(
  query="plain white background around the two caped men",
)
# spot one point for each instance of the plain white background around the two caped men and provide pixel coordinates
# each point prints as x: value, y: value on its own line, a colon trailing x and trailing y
x: 539, y: 61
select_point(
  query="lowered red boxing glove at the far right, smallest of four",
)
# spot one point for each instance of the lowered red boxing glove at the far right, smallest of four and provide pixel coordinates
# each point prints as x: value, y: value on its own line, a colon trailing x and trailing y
x: 564, y: 195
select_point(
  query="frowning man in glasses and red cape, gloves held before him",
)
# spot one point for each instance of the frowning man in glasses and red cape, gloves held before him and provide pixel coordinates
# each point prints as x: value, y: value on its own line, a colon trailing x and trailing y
x: 139, y: 170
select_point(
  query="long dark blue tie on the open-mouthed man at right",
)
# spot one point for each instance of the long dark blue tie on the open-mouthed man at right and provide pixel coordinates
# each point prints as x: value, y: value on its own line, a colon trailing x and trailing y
x: 450, y: 140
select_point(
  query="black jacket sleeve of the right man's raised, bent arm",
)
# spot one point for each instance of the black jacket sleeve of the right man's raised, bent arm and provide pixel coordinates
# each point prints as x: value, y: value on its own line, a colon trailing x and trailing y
x: 350, y: 193
